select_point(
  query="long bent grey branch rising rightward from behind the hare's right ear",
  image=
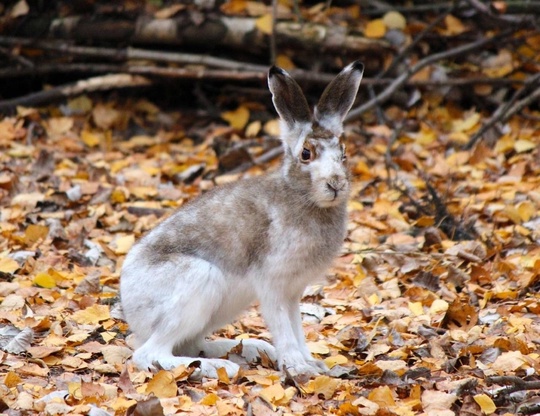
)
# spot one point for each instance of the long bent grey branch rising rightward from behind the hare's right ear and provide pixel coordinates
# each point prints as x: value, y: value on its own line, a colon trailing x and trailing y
x: 399, y: 81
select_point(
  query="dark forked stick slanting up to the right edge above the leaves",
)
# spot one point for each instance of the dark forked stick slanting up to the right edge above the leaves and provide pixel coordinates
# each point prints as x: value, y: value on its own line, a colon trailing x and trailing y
x: 508, y: 108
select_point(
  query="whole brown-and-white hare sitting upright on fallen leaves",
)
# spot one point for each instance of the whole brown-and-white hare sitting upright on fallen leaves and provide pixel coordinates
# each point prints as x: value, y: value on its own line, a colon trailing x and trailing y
x: 264, y: 238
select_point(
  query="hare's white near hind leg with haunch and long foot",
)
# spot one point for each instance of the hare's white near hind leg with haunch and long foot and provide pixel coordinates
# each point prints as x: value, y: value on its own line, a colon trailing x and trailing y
x: 194, y: 289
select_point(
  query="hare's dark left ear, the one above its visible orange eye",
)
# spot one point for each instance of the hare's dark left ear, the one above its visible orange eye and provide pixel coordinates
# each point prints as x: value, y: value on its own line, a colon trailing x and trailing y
x: 289, y: 100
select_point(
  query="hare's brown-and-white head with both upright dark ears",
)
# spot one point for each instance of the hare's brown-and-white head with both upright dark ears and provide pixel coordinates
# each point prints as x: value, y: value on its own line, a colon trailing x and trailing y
x: 315, y: 160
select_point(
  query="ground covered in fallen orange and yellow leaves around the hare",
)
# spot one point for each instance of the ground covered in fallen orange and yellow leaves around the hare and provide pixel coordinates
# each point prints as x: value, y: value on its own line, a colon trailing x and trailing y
x: 413, y: 320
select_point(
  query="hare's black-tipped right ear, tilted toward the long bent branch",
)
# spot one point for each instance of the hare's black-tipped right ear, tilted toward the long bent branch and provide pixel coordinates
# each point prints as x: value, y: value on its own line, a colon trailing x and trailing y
x: 338, y: 98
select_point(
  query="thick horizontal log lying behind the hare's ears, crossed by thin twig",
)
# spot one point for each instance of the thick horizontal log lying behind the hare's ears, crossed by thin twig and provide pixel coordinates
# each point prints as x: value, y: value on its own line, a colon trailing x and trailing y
x: 214, y: 31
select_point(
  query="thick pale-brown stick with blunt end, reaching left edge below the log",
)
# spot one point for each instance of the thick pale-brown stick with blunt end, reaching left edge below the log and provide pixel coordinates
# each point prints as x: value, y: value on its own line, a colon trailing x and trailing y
x: 105, y: 82
